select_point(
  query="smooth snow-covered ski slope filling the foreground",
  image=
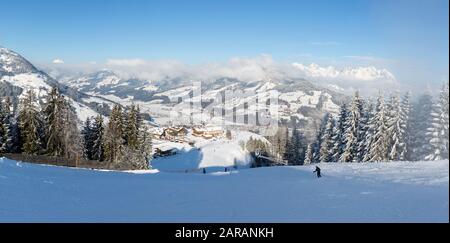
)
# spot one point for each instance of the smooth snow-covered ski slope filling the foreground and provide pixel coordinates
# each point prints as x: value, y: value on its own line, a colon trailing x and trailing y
x: 381, y: 192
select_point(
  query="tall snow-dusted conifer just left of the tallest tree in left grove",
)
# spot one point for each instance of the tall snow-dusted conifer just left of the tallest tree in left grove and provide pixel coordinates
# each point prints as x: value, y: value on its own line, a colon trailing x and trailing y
x: 30, y: 124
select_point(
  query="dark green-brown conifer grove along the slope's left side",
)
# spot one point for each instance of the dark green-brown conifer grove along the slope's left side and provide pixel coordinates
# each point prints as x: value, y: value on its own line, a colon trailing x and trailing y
x: 52, y: 129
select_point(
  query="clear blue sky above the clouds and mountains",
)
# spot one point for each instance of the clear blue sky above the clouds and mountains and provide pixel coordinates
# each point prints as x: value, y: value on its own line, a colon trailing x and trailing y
x: 410, y: 37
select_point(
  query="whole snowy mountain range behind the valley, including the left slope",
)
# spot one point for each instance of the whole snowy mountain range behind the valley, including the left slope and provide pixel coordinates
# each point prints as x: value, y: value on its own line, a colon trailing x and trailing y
x: 94, y: 93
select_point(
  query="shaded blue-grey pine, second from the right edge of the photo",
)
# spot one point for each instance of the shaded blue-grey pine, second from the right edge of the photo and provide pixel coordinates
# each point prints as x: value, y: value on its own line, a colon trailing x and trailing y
x: 420, y: 122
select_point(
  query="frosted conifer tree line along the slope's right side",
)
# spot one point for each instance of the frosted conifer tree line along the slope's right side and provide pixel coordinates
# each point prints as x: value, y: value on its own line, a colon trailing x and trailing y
x: 386, y: 129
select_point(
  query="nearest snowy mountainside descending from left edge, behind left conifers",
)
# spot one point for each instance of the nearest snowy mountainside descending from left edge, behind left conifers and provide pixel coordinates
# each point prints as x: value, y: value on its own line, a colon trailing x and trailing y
x: 18, y: 75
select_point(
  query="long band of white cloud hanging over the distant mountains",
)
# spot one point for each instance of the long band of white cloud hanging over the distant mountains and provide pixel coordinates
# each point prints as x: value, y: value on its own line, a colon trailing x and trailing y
x: 348, y: 78
